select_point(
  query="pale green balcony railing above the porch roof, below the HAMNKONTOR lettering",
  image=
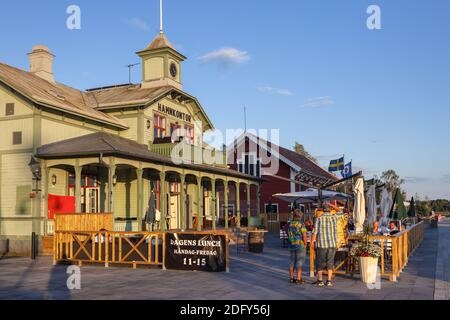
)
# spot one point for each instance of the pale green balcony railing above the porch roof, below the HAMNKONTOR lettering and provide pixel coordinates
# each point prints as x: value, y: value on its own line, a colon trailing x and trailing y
x: 186, y: 153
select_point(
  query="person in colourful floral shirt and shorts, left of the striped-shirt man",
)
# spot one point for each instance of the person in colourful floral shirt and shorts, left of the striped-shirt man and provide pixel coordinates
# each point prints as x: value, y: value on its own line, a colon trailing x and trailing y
x: 297, y: 246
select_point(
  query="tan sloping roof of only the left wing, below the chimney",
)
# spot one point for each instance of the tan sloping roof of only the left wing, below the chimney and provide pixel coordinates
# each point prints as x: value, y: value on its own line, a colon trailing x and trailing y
x: 55, y: 95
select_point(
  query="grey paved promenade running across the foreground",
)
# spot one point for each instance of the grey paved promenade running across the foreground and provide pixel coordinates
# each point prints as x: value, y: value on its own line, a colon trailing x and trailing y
x: 252, y: 277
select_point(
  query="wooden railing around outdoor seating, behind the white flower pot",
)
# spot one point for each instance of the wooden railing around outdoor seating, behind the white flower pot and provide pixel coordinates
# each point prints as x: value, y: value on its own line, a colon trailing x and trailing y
x: 396, y: 251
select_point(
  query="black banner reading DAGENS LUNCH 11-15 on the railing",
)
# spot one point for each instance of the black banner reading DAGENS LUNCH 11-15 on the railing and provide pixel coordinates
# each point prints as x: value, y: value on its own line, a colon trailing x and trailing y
x: 196, y: 252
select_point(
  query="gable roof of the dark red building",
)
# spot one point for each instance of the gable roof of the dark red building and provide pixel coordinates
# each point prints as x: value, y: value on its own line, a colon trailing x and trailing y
x: 296, y: 161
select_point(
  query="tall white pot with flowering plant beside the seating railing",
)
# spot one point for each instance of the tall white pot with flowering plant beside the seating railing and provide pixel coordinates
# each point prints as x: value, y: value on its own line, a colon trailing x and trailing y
x: 368, y: 254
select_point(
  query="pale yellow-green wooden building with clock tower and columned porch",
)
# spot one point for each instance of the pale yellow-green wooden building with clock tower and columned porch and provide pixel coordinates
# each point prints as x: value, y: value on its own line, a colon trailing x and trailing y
x: 123, y: 149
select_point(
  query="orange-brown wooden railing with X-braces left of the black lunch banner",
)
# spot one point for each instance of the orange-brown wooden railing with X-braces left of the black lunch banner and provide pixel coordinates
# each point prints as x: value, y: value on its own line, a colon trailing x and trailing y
x: 129, y: 248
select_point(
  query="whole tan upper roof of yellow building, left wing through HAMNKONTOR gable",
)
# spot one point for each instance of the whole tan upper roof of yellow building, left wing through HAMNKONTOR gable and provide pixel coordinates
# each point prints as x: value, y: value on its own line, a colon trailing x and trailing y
x: 89, y: 104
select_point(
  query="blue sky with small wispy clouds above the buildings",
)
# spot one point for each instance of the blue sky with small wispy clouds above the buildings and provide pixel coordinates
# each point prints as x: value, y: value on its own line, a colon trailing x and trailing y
x: 310, y: 68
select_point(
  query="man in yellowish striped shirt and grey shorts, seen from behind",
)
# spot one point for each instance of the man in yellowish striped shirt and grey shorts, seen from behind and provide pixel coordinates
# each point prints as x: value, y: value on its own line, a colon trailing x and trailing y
x: 326, y: 237
